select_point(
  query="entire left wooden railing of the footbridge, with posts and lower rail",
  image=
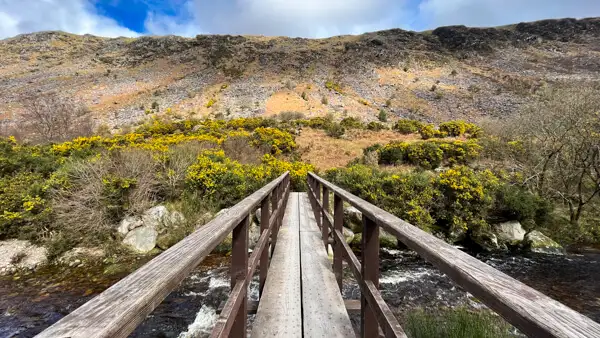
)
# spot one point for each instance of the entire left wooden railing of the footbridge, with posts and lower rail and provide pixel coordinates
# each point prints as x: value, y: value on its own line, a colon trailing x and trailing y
x: 117, y: 311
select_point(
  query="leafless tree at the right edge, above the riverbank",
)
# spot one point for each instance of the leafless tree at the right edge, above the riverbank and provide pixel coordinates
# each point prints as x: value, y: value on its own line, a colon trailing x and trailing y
x: 556, y: 144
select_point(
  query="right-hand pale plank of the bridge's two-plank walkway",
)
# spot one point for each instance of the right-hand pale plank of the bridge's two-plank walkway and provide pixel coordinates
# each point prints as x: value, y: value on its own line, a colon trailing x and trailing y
x: 323, y: 310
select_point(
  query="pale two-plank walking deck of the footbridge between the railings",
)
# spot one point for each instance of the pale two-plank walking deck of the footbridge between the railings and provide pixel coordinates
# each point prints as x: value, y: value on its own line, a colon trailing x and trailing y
x: 301, y: 297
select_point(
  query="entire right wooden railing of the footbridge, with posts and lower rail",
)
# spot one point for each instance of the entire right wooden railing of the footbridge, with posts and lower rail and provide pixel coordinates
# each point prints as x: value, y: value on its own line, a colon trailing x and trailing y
x: 532, y: 312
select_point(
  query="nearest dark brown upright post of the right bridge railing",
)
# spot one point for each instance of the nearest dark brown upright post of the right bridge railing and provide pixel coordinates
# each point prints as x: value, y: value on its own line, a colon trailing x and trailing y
x: 370, y: 272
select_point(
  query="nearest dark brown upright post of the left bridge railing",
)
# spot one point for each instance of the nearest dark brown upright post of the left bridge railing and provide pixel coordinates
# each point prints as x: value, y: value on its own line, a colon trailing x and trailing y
x: 239, y: 269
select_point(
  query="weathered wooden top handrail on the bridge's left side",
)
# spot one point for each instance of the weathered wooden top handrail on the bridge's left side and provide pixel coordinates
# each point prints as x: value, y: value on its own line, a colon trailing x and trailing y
x: 117, y: 311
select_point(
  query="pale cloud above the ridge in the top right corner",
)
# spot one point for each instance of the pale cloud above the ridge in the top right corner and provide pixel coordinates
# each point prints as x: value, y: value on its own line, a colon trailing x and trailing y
x: 486, y: 13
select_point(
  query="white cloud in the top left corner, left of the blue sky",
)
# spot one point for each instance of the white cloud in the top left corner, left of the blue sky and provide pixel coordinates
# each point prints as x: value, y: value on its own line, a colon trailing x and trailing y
x: 73, y: 16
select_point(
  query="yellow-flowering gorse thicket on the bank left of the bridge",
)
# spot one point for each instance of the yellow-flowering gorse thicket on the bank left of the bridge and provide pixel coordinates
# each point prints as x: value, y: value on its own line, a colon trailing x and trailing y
x: 76, y: 192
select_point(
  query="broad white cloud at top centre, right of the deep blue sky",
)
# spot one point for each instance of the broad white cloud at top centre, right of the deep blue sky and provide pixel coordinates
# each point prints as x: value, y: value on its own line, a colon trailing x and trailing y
x: 306, y: 18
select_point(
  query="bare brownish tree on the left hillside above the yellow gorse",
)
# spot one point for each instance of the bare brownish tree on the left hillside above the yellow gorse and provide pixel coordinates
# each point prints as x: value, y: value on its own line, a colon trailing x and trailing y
x: 52, y: 118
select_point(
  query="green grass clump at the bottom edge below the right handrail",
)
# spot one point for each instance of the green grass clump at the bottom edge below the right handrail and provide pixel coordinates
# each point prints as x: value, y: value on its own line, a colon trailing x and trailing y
x: 456, y: 323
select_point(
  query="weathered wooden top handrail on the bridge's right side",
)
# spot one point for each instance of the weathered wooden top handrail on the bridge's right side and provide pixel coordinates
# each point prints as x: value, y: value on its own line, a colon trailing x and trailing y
x: 532, y: 312
